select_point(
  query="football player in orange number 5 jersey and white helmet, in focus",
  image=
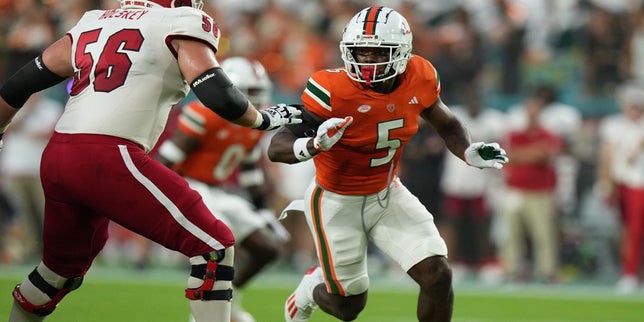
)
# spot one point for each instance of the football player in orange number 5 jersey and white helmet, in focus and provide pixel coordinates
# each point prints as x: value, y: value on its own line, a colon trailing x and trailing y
x: 357, y: 120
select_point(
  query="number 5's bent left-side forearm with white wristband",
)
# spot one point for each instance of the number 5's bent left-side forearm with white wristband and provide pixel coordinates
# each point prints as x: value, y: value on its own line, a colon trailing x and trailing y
x: 283, y: 147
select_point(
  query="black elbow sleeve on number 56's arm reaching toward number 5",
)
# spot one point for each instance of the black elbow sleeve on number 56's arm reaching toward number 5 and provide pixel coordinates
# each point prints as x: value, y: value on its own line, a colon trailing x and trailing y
x: 215, y: 90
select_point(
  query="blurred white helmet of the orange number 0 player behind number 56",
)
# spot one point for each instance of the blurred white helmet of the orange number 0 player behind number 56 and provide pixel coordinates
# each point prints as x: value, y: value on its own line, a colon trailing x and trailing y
x: 251, y: 79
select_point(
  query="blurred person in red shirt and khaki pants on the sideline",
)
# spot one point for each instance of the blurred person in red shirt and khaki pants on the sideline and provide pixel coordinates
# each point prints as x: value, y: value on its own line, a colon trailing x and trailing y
x: 528, y: 211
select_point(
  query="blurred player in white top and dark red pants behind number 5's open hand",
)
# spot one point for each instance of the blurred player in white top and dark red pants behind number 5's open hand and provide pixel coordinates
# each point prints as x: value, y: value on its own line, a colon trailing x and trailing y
x: 468, y: 195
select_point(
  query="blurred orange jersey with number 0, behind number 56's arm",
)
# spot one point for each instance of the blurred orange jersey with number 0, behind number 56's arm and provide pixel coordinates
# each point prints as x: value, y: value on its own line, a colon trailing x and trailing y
x: 224, y: 145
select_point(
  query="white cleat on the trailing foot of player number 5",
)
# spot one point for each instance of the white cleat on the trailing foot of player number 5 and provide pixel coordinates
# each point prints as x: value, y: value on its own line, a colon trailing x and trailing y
x: 300, y: 304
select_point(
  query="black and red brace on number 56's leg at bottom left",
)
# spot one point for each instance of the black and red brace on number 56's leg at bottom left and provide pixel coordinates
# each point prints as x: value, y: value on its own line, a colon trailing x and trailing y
x: 39, y: 284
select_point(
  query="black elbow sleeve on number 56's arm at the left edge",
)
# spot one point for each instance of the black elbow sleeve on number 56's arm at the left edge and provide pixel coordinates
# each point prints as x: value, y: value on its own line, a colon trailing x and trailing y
x: 31, y: 78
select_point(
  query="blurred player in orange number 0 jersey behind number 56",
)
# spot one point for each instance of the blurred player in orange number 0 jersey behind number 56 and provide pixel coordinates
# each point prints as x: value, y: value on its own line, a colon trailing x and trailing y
x: 208, y: 151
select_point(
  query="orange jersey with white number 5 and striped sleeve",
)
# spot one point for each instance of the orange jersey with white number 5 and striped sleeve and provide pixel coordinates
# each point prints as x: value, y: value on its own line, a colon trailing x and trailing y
x: 360, y: 162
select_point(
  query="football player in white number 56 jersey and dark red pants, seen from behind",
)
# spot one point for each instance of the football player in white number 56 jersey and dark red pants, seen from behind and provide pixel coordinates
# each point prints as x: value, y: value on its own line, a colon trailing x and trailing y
x: 129, y: 67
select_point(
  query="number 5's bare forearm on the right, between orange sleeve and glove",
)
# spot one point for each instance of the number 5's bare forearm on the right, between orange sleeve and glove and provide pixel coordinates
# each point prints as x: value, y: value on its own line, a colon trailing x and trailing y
x: 449, y: 127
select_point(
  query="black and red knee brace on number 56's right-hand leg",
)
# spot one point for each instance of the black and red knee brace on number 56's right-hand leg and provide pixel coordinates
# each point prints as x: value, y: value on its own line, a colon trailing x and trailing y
x: 216, y: 271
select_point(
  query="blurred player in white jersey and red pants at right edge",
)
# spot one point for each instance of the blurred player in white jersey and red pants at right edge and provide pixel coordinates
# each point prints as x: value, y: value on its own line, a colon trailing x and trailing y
x: 620, y: 179
